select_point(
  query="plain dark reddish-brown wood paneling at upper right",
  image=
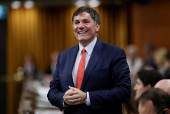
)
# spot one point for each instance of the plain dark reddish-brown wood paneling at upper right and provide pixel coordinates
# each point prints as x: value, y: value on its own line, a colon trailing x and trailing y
x: 151, y: 23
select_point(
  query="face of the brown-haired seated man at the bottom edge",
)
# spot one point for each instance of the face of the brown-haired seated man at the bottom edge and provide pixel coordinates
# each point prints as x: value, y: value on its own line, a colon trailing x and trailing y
x: 146, y: 108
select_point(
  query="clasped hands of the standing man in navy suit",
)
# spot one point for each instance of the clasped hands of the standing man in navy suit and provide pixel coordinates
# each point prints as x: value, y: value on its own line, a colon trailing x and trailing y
x: 74, y: 96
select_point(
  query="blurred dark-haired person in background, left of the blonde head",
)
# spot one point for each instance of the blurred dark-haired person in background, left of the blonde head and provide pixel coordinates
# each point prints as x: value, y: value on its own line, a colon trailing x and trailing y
x: 149, y: 63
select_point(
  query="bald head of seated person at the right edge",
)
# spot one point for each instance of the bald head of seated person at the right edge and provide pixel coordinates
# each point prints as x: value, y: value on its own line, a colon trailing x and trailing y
x: 164, y: 84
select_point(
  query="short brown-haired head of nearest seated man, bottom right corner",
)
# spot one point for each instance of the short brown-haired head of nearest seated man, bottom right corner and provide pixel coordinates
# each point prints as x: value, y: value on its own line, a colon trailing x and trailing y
x: 154, y: 101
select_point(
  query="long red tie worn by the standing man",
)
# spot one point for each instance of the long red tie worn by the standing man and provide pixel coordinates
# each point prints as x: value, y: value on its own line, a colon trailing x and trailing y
x: 80, y: 71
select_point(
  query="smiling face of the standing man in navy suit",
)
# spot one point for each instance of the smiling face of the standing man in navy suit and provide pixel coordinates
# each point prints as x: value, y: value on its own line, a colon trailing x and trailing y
x: 85, y: 29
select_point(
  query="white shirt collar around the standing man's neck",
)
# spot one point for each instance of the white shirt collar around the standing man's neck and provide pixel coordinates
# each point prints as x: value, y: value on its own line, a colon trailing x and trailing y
x: 89, y: 47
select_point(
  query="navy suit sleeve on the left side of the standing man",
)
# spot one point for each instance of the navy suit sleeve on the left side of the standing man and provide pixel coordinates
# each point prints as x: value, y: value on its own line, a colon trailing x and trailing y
x: 55, y: 94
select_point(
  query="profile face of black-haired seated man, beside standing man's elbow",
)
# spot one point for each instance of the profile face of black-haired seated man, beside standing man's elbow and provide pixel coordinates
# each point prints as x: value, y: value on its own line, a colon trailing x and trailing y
x: 139, y: 88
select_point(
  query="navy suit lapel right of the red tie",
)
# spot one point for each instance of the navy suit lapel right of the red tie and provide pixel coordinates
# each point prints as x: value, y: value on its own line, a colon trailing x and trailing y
x: 97, y: 51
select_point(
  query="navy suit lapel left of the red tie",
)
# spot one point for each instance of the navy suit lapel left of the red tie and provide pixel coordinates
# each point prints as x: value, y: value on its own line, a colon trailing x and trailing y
x: 71, y: 61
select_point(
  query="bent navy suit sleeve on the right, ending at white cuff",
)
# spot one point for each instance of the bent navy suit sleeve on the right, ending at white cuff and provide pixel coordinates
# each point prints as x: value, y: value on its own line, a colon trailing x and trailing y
x: 121, y: 90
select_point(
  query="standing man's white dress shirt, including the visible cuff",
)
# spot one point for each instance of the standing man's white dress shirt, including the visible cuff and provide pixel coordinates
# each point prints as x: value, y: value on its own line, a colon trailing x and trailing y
x: 89, y: 49
